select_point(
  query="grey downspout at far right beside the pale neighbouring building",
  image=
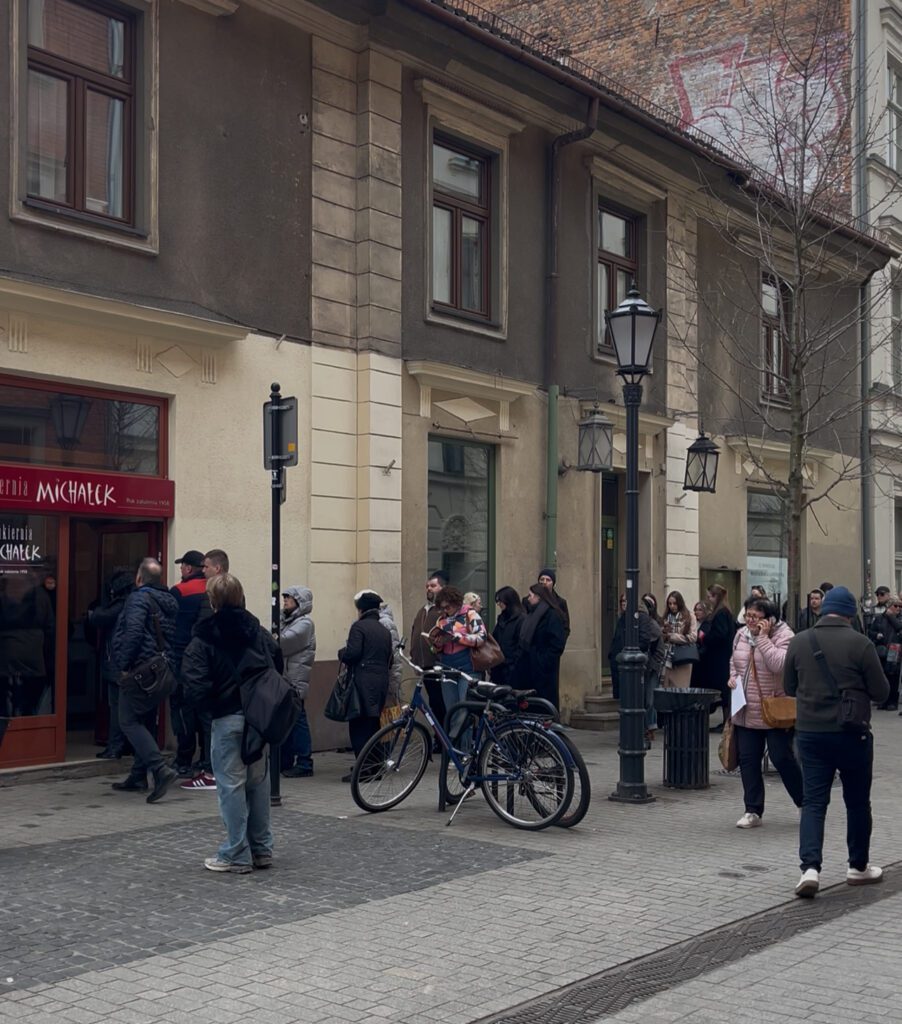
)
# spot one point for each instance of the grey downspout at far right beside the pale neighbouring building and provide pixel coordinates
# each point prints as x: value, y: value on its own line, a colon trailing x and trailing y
x: 865, y: 296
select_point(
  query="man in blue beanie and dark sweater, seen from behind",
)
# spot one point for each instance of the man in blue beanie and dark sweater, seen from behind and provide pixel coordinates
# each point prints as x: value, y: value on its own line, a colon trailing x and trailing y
x: 824, y: 665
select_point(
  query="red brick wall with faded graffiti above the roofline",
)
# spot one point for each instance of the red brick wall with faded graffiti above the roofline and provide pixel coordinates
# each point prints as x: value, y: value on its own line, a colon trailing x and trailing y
x: 706, y: 62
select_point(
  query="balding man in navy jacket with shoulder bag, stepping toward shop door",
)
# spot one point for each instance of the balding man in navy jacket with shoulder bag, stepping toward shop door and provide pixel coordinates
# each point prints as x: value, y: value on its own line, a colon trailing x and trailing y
x: 135, y: 642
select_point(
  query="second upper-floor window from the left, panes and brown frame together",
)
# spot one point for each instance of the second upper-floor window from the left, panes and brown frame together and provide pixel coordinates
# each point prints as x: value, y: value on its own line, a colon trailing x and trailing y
x: 461, y: 230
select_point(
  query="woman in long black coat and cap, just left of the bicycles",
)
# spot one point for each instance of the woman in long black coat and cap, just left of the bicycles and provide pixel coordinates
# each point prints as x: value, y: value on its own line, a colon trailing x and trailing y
x: 368, y: 655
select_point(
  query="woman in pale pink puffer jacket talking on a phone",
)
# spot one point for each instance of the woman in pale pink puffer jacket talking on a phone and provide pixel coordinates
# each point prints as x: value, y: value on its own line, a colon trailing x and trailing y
x: 759, y: 653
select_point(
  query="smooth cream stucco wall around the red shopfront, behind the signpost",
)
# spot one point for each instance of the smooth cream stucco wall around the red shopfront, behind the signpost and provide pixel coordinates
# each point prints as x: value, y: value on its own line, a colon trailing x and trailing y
x: 223, y: 494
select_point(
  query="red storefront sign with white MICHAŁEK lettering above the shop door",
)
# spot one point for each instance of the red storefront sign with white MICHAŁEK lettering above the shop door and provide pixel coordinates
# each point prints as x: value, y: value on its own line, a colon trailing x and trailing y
x: 33, y: 489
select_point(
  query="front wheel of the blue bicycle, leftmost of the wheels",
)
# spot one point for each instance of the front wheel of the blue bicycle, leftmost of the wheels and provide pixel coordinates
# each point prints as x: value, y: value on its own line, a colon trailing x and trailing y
x: 391, y: 765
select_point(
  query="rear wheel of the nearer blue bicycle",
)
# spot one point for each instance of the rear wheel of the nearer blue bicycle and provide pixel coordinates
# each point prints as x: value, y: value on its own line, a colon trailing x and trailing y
x: 540, y: 788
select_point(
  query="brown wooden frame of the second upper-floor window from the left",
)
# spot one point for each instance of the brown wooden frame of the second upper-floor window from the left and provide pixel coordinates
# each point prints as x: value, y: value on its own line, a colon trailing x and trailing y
x: 459, y: 207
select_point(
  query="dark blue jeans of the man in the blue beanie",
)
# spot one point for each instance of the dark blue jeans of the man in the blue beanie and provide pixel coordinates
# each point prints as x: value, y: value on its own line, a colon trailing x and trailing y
x: 823, y: 755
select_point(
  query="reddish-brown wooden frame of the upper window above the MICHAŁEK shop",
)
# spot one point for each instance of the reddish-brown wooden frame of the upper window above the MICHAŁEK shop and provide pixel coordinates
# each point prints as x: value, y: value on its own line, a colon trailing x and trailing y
x: 79, y: 78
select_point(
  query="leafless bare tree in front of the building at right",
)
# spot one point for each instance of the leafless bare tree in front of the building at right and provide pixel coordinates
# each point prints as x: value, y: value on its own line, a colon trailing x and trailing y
x: 783, y: 357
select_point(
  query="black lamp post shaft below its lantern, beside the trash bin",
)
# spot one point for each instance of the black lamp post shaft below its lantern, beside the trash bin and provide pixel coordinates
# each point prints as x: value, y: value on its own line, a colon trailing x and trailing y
x: 631, y: 786
